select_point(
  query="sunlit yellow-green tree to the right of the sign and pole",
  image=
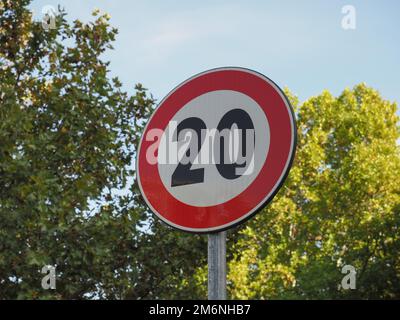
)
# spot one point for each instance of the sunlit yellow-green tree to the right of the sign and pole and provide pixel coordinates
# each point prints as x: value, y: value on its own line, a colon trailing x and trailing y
x: 340, y: 206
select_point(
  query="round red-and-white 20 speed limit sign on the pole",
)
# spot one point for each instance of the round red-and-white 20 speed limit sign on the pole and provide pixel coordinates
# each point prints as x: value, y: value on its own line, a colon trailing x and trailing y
x: 216, y: 150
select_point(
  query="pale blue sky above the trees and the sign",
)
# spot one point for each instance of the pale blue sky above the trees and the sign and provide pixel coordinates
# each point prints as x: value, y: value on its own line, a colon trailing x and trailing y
x: 298, y: 44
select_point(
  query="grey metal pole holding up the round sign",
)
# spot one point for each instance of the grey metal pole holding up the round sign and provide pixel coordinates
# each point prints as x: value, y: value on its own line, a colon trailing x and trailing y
x: 217, y: 266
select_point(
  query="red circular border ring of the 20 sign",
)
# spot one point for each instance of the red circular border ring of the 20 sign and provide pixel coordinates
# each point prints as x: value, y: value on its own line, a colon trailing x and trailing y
x: 281, y: 122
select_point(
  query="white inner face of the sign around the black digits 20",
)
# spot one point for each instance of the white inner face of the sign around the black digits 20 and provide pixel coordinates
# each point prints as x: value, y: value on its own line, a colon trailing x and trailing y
x: 211, y: 108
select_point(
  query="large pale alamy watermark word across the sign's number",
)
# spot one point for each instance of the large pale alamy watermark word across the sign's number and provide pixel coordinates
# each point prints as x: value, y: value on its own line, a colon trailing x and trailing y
x: 200, y: 145
